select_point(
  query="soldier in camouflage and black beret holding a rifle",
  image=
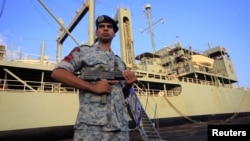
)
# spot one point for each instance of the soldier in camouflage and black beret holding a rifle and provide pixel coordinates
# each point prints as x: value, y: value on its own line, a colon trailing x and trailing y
x: 98, y: 120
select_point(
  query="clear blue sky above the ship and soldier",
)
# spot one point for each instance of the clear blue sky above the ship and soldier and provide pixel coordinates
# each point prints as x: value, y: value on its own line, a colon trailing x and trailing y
x: 25, y: 25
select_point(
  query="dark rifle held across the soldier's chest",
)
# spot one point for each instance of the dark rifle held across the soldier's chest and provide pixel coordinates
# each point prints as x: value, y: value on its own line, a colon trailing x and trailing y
x: 93, y: 75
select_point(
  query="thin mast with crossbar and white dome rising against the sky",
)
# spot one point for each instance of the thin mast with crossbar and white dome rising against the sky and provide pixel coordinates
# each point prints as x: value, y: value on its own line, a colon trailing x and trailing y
x: 148, y: 10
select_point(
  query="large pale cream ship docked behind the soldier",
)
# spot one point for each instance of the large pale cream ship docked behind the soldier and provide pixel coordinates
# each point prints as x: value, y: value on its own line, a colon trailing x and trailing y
x: 176, y: 85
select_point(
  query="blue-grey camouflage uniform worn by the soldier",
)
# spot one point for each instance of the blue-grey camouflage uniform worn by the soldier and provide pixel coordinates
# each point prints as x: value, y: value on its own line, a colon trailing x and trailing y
x: 95, y: 120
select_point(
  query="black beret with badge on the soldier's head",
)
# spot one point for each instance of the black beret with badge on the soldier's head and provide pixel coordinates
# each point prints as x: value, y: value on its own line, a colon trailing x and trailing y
x: 106, y: 19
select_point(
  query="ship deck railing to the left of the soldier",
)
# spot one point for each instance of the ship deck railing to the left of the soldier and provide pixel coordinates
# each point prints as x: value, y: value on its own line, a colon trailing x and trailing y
x: 34, y: 86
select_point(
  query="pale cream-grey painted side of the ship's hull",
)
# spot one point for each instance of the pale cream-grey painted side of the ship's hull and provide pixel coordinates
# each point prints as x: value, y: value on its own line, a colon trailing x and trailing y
x: 41, y: 113
